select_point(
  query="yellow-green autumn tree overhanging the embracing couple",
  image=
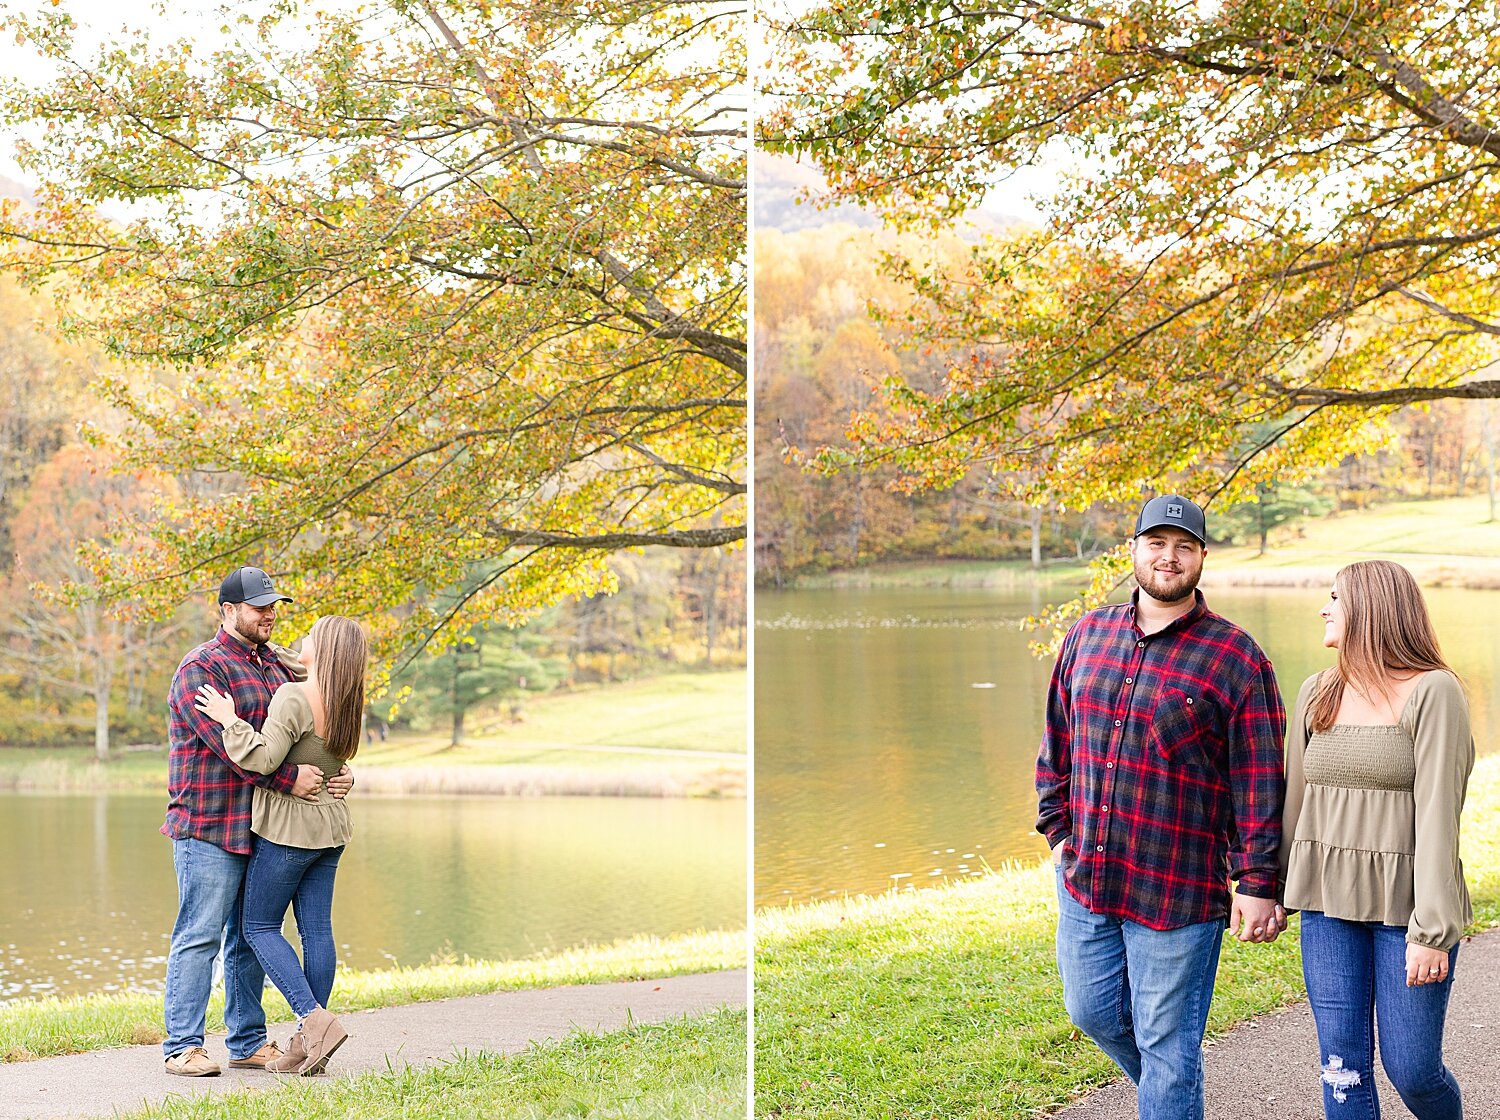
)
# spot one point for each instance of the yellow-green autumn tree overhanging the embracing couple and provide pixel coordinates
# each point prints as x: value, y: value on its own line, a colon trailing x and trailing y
x: 425, y: 286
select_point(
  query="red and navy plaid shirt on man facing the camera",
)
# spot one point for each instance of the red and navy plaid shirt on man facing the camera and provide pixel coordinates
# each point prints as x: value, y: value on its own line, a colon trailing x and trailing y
x: 1162, y: 767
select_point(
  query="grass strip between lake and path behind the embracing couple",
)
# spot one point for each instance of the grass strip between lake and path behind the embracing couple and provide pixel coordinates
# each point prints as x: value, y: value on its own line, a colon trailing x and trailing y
x: 32, y: 1029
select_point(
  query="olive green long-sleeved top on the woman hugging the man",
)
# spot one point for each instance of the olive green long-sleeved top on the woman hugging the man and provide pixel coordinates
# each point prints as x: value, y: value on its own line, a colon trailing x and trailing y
x: 289, y: 737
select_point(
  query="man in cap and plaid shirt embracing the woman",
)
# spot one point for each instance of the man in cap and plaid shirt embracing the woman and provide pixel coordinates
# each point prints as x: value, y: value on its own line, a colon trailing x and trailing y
x: 209, y: 821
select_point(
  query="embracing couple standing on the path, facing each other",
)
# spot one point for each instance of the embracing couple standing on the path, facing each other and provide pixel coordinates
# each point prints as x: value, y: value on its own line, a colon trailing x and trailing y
x: 260, y: 743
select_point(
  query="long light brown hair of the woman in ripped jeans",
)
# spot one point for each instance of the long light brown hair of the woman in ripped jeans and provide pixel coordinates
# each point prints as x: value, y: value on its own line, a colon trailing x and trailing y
x: 1387, y: 629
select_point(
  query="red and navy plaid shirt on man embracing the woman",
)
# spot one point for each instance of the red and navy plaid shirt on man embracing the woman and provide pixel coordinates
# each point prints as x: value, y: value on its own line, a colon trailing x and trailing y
x: 211, y: 797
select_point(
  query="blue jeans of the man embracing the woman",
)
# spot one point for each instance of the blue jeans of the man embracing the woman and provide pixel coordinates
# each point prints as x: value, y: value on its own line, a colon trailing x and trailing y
x: 211, y: 894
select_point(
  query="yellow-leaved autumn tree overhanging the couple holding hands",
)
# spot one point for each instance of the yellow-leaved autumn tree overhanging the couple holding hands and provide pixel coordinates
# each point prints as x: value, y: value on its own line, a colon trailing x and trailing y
x: 1283, y: 214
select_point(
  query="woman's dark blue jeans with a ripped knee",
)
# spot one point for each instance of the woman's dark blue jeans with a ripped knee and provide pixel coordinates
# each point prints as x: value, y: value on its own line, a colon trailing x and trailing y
x: 1357, y: 977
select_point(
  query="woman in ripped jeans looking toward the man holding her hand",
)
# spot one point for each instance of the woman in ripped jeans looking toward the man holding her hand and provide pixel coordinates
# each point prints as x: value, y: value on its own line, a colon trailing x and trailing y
x: 1378, y: 761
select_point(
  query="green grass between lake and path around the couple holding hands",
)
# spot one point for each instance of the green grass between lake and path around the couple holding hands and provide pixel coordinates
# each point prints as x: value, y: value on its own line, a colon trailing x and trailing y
x: 947, y: 1002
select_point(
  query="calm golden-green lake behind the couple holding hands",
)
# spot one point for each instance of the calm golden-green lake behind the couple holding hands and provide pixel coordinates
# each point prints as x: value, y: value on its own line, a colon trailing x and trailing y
x: 898, y: 729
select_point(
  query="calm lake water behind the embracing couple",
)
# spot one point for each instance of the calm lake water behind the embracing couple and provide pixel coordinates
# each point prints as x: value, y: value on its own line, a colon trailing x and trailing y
x: 91, y: 896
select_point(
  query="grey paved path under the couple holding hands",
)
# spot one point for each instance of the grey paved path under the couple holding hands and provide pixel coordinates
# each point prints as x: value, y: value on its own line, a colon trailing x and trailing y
x: 1270, y: 1067
